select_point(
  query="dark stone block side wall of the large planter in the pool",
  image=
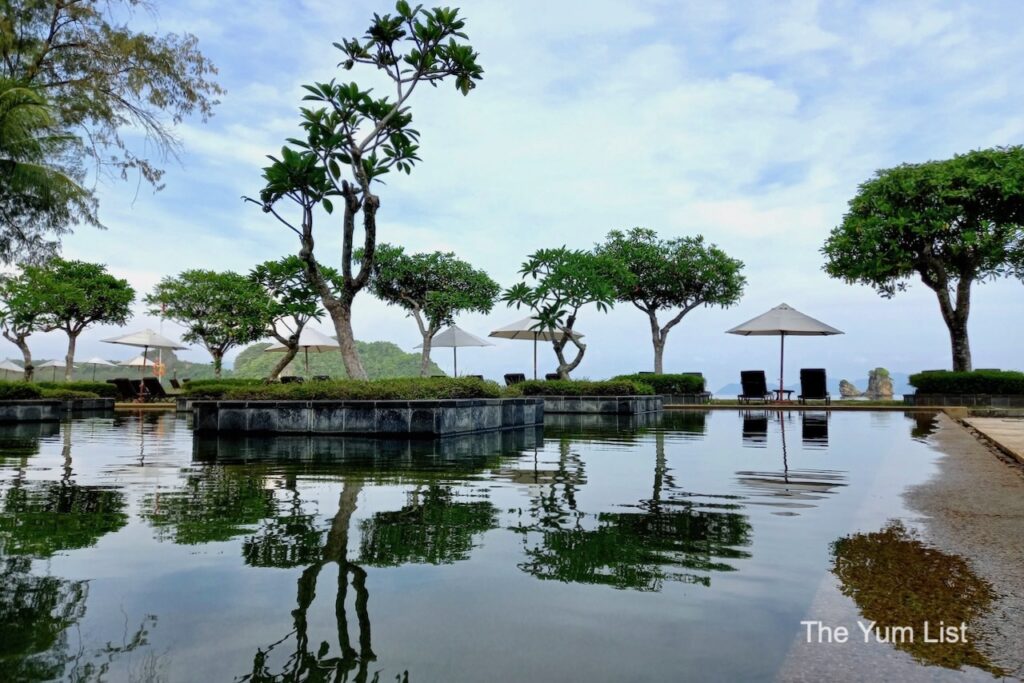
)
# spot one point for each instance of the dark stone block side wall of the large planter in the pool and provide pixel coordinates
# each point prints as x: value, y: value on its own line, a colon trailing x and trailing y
x: 387, y: 418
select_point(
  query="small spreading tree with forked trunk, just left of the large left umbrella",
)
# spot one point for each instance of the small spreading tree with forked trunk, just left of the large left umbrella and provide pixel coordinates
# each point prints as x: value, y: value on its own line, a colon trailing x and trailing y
x: 75, y: 295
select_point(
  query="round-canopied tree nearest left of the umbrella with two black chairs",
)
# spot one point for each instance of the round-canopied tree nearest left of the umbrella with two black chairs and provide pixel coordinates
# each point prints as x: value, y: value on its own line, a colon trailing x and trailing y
x: 679, y: 274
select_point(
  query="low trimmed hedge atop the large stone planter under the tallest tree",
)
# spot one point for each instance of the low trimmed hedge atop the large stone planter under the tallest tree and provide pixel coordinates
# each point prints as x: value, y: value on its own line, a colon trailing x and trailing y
x: 409, y: 389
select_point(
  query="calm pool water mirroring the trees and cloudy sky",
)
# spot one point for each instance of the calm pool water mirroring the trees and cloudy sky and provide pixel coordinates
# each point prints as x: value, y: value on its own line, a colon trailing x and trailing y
x: 690, y: 546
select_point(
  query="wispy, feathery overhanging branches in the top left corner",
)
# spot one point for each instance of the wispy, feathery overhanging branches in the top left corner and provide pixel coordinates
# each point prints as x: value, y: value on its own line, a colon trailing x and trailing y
x: 107, y: 81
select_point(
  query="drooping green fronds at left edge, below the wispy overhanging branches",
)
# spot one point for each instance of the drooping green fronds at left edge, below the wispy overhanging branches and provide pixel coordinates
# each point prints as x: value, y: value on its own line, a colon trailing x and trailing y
x: 40, y: 193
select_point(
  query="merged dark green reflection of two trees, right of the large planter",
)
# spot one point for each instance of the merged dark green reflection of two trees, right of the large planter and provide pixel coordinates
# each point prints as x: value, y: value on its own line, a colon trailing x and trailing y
x: 672, y: 538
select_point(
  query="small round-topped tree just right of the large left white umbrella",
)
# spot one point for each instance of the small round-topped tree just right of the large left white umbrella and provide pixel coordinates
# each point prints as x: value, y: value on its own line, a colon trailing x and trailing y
x: 220, y: 311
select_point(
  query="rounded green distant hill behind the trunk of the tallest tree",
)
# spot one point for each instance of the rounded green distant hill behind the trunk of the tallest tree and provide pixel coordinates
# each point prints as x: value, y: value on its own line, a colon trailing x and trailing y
x: 381, y: 360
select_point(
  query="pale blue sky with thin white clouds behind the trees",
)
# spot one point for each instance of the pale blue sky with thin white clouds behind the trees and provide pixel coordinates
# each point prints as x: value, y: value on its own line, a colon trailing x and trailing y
x: 749, y: 123
